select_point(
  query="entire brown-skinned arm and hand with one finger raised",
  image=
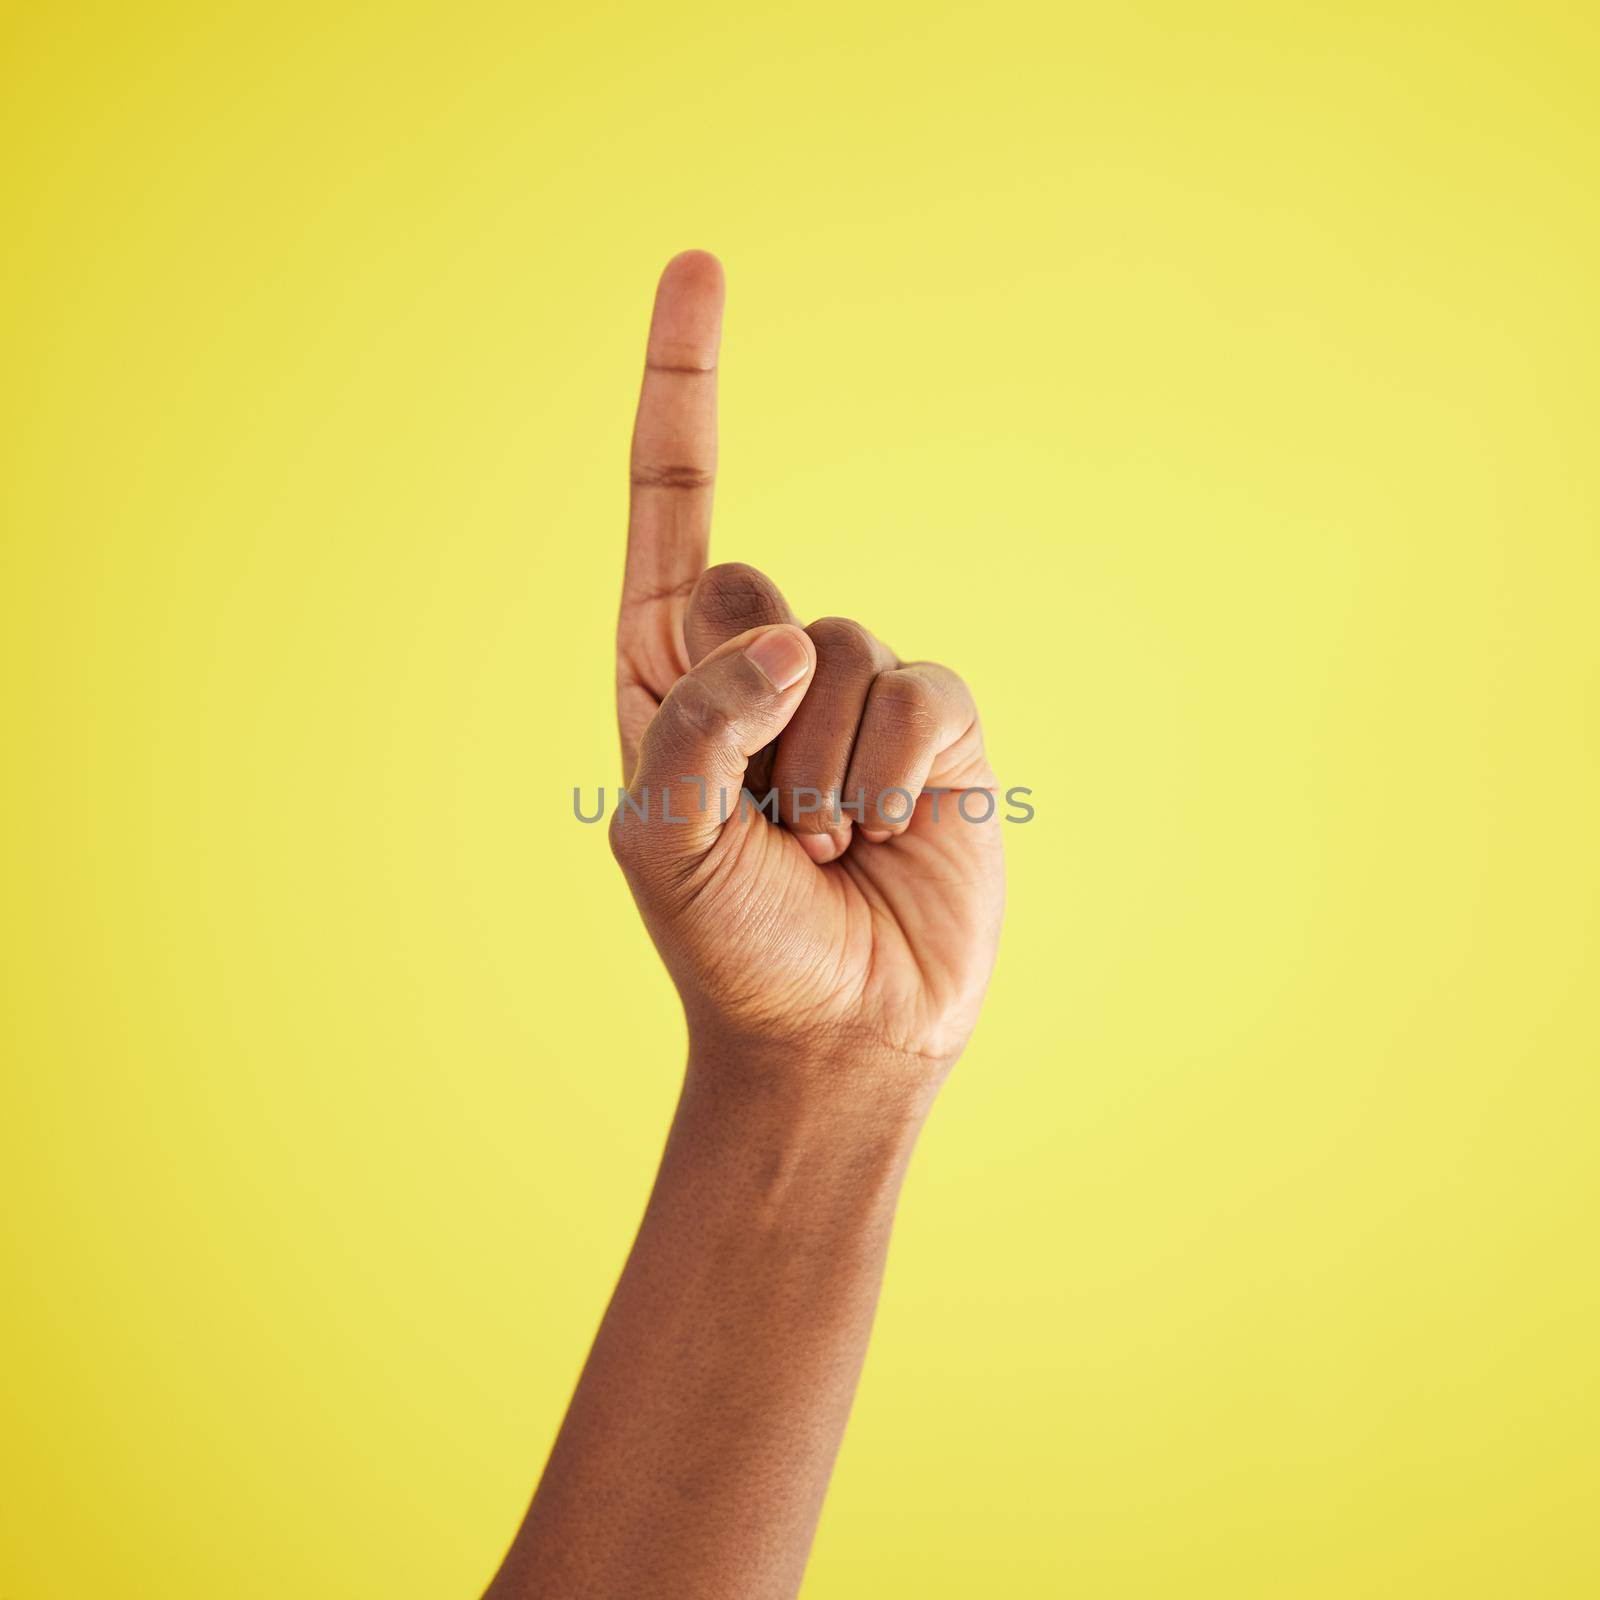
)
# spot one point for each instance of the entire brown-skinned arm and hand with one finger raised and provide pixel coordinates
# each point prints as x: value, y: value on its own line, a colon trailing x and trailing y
x: 831, y: 972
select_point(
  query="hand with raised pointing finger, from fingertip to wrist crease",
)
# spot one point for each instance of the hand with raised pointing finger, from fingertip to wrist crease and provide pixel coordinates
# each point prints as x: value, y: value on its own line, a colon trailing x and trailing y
x: 858, y: 945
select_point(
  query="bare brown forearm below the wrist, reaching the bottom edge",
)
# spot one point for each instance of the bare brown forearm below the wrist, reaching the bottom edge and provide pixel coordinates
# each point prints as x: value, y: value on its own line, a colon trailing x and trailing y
x: 697, y: 1449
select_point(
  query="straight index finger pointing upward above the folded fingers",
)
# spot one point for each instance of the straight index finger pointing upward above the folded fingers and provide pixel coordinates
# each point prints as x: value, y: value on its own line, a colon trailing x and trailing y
x: 674, y: 457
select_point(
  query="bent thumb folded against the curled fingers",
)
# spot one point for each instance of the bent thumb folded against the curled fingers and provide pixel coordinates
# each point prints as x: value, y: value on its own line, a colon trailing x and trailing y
x: 694, y: 754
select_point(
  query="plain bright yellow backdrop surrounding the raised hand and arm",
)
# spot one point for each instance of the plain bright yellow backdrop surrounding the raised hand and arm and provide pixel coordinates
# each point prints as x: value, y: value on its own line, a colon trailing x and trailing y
x: 1214, y: 385
